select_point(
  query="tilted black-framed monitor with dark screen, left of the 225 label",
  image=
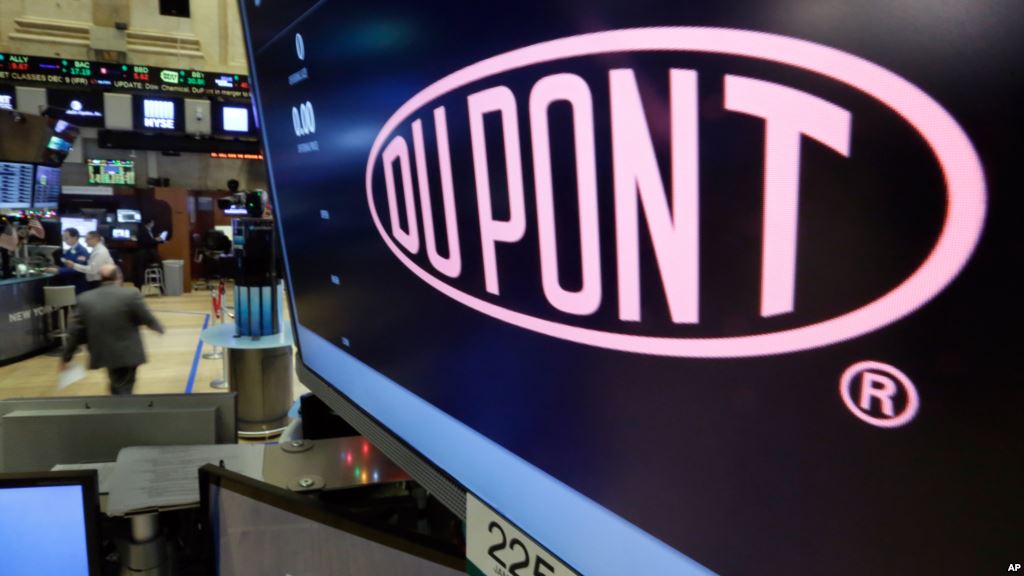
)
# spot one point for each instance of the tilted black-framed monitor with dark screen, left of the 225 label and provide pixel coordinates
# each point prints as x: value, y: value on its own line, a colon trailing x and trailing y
x: 257, y: 528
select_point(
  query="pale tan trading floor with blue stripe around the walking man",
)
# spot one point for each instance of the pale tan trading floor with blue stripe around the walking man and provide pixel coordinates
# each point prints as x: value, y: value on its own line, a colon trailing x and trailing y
x: 176, y: 364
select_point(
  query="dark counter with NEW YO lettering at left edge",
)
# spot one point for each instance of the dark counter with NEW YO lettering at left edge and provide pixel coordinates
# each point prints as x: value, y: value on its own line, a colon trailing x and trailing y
x: 24, y: 322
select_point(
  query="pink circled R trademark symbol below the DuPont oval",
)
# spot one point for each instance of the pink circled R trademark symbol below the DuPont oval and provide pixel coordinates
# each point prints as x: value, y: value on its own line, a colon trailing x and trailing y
x: 879, y: 394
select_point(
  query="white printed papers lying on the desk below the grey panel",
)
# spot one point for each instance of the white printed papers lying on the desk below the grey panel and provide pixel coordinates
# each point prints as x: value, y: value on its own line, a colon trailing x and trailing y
x: 168, y: 476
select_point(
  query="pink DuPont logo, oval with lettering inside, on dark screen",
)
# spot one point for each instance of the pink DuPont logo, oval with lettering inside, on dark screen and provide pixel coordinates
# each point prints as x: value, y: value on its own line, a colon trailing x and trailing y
x: 562, y: 188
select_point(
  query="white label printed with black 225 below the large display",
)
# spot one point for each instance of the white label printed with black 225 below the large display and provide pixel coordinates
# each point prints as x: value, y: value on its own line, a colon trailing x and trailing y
x: 496, y: 548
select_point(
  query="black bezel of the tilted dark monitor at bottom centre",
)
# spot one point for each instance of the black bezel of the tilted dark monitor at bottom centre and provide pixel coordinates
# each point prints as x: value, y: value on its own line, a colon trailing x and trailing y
x: 306, y: 508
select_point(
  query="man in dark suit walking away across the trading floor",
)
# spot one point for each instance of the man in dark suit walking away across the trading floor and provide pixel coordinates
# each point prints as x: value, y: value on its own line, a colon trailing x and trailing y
x: 107, y: 320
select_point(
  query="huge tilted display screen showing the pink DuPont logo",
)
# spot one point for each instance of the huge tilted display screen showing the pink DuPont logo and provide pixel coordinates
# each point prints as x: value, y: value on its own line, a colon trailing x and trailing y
x: 677, y: 289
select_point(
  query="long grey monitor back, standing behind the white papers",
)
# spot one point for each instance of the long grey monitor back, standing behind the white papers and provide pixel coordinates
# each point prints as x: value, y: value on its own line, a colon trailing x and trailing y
x: 37, y: 434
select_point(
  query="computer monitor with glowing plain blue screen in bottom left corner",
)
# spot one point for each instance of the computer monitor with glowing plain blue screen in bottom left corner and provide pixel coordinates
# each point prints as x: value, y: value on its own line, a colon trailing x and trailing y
x: 50, y: 524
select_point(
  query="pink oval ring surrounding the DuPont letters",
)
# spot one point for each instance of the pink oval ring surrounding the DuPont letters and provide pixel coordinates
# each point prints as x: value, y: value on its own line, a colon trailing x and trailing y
x: 966, y: 193
